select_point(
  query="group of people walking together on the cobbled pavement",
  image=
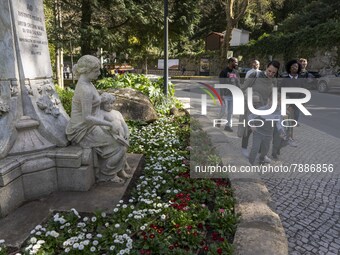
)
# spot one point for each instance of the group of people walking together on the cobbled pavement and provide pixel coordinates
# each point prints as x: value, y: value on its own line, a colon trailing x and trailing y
x: 262, y: 83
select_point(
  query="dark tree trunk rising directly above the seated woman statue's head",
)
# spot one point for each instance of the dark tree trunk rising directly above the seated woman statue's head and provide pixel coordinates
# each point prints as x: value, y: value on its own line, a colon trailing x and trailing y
x: 86, y: 15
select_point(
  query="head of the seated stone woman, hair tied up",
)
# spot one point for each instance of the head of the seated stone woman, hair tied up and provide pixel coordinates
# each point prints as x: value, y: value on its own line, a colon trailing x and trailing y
x: 87, y: 64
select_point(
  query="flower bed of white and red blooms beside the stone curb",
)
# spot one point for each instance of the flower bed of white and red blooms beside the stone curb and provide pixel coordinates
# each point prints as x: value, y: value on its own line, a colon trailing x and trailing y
x: 167, y: 213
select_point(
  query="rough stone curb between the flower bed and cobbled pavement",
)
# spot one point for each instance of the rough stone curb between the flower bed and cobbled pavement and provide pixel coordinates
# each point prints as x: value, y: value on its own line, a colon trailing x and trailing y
x: 259, y: 230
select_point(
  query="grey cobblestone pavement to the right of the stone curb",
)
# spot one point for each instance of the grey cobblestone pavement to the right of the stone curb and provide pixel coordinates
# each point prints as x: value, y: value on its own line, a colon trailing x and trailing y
x: 308, y: 203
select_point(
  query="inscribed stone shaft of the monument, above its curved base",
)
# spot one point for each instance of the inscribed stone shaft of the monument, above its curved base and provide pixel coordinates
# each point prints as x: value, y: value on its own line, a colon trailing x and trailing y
x: 32, y: 118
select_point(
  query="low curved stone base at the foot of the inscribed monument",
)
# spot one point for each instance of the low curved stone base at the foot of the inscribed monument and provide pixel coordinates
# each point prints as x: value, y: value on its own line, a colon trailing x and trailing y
x: 32, y: 176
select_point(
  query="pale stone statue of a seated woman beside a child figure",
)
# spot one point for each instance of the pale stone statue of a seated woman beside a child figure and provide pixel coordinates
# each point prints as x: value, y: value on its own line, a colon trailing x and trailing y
x: 89, y: 129
